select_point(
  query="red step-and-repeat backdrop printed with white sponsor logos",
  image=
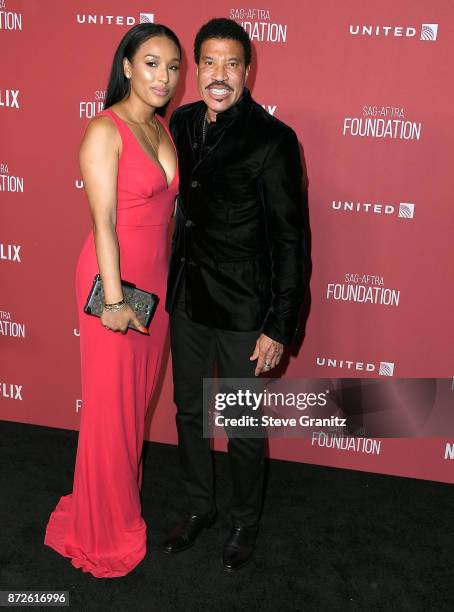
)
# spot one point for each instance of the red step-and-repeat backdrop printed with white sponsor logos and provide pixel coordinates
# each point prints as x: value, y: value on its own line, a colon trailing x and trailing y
x: 368, y: 89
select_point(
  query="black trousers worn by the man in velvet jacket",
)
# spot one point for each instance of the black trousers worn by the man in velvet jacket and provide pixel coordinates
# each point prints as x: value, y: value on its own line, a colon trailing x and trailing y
x: 196, y: 350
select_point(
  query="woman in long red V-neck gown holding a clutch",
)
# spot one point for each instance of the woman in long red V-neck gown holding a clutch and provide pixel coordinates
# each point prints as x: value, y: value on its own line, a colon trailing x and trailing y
x: 130, y: 172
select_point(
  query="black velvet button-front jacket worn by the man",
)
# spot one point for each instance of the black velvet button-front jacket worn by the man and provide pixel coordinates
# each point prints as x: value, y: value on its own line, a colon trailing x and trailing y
x: 240, y: 237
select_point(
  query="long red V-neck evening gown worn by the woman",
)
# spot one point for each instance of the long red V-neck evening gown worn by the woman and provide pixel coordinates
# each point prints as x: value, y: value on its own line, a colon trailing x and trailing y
x: 99, y: 525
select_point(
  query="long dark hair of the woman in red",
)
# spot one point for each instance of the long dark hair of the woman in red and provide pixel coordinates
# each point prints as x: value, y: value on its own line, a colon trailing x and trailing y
x: 118, y: 86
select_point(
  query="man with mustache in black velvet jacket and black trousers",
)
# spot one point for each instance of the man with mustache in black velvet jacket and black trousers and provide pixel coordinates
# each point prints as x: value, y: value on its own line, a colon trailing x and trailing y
x: 237, y: 274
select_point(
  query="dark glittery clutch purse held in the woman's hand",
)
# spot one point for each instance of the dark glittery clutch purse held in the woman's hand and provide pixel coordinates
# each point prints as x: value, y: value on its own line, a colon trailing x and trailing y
x: 142, y: 302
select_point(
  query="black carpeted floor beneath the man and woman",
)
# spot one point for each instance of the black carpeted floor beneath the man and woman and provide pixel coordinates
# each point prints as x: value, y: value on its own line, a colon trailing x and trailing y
x: 330, y: 540
